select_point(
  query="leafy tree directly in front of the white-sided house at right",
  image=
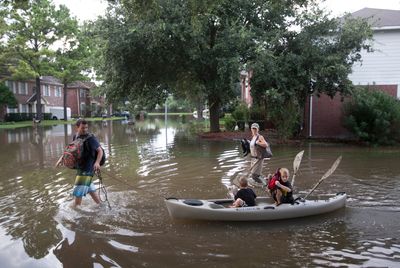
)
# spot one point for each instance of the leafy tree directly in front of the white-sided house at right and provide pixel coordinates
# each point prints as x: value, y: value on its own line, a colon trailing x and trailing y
x: 316, y: 59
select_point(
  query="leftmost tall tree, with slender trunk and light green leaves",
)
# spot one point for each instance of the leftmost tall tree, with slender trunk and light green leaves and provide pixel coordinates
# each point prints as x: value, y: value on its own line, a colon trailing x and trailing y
x: 32, y: 30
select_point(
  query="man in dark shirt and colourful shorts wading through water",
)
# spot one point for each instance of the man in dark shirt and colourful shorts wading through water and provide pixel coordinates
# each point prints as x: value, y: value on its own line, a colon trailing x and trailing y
x: 88, y: 165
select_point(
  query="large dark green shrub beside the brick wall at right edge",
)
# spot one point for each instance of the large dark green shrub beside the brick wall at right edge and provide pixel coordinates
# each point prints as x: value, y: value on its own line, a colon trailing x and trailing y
x: 373, y: 117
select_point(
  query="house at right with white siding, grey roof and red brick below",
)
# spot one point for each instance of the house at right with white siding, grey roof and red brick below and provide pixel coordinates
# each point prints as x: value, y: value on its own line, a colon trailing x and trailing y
x: 379, y: 70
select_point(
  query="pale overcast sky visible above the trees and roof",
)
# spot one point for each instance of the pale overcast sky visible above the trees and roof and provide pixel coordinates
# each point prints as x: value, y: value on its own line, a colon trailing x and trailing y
x: 90, y: 9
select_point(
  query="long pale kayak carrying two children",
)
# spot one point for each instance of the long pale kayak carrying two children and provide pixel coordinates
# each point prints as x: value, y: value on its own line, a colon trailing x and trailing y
x: 218, y: 209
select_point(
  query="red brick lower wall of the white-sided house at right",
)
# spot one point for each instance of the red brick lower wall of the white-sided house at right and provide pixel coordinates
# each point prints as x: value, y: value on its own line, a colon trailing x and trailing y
x: 327, y: 115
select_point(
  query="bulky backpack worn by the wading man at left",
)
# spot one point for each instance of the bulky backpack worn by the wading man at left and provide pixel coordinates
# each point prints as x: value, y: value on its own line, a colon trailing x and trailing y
x: 75, y: 152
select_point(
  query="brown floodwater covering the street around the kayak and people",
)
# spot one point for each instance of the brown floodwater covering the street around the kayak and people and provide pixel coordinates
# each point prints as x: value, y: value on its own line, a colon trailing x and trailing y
x: 150, y: 161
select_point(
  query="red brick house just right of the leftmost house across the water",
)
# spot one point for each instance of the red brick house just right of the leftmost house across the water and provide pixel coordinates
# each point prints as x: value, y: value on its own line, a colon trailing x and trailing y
x: 82, y: 102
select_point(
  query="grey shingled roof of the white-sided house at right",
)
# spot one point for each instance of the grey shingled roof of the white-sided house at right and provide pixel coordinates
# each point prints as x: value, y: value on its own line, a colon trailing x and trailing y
x: 380, y: 18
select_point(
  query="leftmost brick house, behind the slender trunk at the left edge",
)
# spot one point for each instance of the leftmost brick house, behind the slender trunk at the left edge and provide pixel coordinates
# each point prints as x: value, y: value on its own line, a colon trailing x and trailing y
x: 25, y: 93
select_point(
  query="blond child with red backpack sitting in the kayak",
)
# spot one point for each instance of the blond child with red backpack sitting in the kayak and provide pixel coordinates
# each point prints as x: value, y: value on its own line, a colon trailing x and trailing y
x: 282, y: 189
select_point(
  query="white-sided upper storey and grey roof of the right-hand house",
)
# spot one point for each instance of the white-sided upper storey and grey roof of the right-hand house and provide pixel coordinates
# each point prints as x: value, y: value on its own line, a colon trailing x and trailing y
x: 382, y: 66
